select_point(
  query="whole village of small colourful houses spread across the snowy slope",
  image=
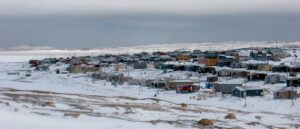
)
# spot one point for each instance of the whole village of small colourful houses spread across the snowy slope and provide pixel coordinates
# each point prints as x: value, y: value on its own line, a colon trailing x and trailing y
x: 248, y: 64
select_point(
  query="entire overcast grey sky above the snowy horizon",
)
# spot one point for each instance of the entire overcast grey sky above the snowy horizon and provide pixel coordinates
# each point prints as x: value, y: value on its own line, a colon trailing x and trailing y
x: 111, y: 23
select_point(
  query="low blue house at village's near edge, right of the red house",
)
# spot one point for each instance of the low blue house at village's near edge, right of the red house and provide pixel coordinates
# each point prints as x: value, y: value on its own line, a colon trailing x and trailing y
x: 247, y: 91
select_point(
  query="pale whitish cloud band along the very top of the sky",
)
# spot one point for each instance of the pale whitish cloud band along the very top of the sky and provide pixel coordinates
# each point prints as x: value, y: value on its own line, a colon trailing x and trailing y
x: 190, y: 7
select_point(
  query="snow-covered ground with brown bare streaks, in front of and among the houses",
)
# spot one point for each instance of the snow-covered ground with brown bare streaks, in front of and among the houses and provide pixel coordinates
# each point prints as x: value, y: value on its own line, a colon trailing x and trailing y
x: 47, y: 100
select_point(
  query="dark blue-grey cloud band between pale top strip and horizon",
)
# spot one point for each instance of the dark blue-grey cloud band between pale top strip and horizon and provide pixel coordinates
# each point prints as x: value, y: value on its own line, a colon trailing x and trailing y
x: 125, y: 30
